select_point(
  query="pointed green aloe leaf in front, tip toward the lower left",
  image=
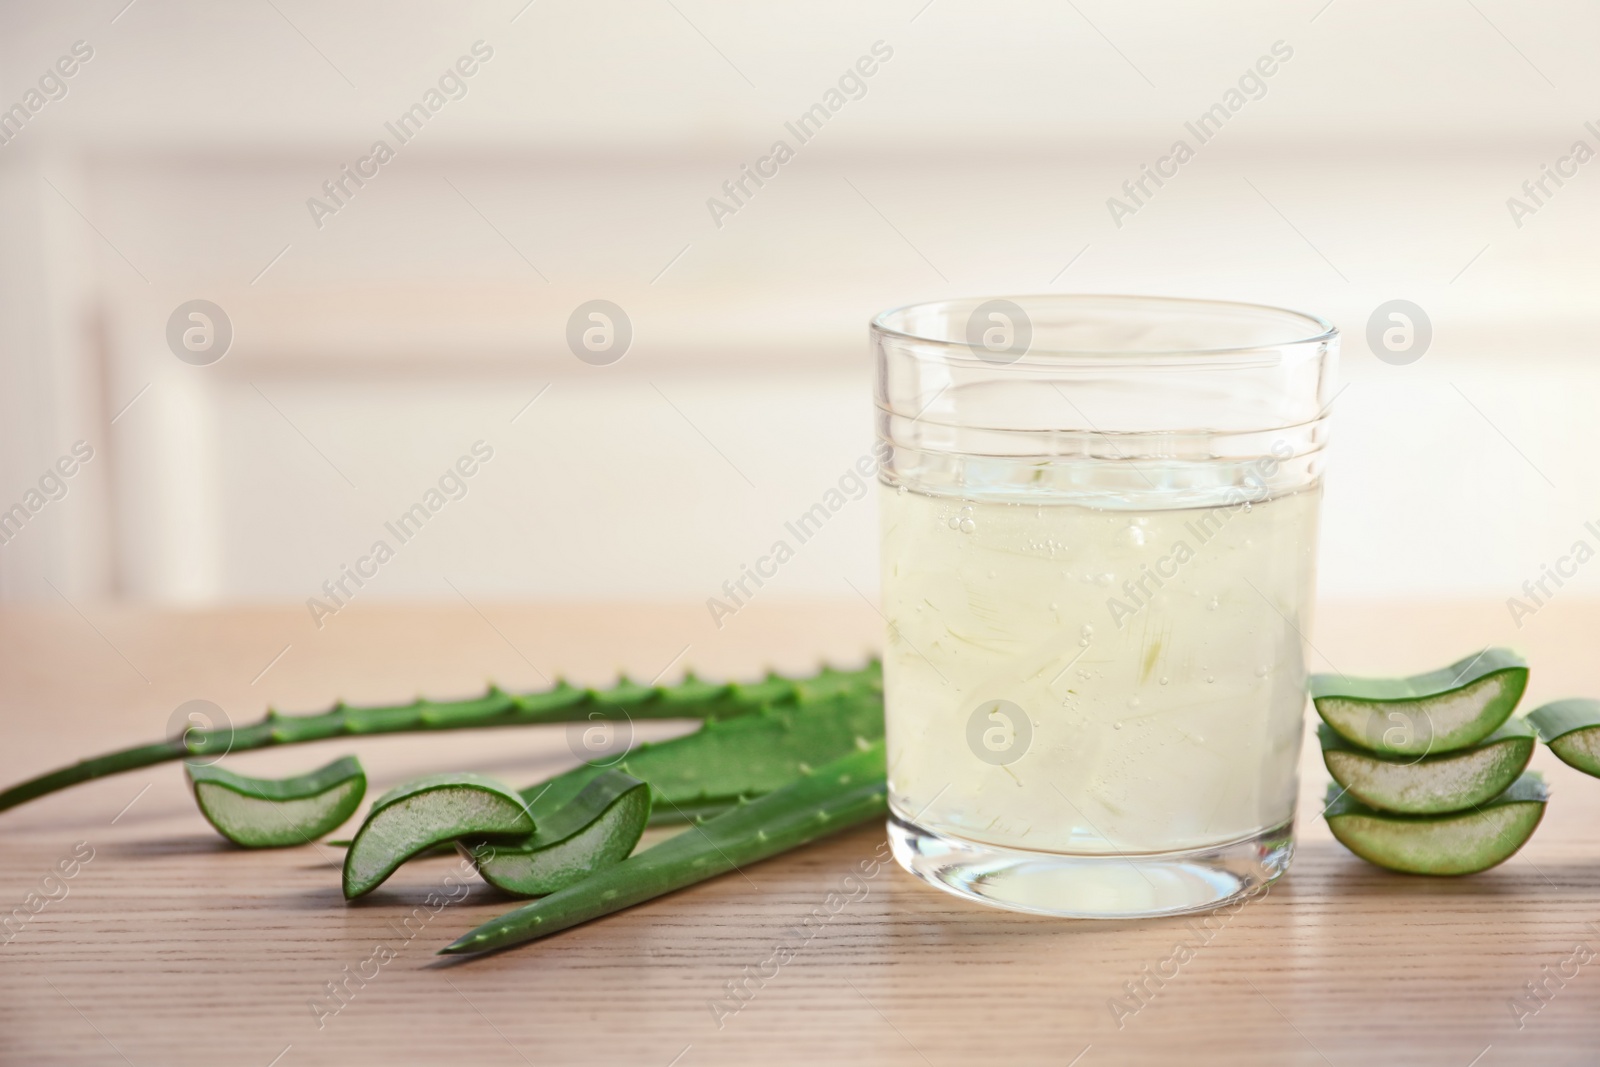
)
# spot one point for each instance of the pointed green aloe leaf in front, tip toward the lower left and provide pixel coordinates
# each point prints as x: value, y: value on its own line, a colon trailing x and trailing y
x: 826, y: 801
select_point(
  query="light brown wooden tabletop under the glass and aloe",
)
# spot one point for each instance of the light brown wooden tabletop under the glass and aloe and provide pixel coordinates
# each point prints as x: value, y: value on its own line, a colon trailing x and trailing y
x: 172, y: 948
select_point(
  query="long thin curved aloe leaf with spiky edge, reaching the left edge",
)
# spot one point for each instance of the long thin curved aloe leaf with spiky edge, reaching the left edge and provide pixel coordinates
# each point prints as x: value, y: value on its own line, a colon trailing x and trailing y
x: 690, y: 698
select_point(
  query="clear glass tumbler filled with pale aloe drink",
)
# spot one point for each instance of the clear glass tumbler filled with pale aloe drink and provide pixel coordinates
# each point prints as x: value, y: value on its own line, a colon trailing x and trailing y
x: 1100, y: 541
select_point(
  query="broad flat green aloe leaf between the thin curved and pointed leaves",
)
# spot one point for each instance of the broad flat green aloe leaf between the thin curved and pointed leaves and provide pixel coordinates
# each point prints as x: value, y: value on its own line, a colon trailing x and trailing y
x: 703, y: 773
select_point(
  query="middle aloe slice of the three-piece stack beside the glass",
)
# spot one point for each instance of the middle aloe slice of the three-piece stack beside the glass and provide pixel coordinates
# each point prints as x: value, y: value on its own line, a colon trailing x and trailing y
x: 1434, y: 785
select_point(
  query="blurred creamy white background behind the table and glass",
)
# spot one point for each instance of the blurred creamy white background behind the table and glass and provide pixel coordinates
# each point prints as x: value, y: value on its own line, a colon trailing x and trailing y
x: 372, y: 353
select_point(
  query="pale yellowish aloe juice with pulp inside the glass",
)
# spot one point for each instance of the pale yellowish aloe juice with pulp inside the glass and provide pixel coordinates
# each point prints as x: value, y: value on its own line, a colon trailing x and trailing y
x: 1090, y: 681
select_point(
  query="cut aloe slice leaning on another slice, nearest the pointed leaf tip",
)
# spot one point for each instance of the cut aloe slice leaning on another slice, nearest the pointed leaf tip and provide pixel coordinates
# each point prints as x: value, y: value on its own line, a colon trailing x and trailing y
x: 599, y: 828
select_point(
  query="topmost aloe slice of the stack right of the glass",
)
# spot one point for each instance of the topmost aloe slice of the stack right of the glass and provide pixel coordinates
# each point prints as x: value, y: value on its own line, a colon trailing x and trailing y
x: 1426, y: 714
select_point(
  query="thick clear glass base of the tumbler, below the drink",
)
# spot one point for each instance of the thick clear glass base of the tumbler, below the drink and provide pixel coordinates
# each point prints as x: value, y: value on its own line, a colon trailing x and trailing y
x: 1094, y: 887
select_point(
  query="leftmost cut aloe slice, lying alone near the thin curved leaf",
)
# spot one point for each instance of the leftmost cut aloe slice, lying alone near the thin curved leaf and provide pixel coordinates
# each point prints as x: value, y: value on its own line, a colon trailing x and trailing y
x: 278, y: 812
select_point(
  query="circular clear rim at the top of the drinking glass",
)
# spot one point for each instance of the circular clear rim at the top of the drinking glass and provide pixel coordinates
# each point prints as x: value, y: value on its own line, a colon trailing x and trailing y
x: 1321, y: 330
